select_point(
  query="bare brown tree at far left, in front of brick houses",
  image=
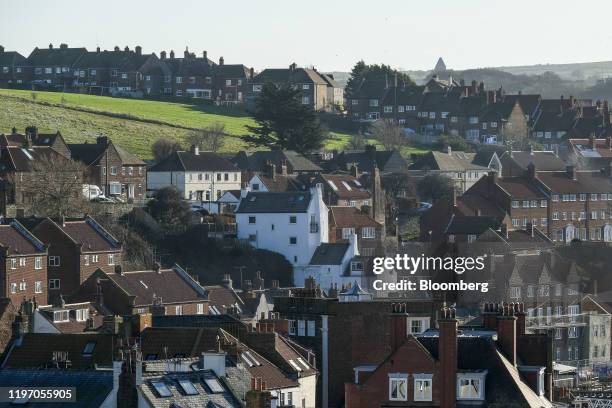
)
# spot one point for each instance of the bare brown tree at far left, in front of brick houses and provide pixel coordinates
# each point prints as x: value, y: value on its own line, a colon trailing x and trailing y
x: 53, y: 187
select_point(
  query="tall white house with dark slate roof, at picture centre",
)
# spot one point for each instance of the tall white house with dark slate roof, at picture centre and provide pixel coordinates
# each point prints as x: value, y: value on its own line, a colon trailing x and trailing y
x: 292, y: 224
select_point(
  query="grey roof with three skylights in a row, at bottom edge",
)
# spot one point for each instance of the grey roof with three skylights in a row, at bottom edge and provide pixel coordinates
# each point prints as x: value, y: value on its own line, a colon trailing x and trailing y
x: 202, y: 396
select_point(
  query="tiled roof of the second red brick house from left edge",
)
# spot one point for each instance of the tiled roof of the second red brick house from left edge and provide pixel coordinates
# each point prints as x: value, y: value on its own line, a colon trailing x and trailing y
x: 86, y: 232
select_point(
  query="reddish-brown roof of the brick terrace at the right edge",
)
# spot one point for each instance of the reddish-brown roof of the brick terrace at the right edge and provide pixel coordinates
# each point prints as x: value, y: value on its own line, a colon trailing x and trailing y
x: 584, y: 182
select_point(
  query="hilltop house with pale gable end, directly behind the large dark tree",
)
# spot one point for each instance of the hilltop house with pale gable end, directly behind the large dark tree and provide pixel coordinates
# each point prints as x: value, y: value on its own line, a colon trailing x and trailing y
x: 312, y: 86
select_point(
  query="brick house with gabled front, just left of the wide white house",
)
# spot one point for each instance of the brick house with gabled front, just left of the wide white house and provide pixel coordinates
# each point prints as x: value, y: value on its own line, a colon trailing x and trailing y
x: 117, y: 172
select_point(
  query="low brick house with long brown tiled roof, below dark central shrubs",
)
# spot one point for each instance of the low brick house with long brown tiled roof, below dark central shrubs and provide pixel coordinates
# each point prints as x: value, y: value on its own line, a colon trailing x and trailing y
x: 159, y: 291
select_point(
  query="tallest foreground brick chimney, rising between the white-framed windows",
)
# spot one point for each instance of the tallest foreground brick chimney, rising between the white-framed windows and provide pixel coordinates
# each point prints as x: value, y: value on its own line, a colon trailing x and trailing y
x: 447, y: 353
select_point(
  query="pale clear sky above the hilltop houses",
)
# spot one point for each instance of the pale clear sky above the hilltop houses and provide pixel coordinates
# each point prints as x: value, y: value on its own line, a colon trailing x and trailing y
x: 328, y: 34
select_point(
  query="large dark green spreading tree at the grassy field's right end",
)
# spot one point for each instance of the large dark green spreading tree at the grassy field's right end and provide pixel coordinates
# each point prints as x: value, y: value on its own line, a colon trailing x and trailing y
x: 284, y: 122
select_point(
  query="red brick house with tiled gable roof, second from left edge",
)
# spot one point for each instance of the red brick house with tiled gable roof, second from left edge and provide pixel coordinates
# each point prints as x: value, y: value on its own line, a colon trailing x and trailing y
x: 77, y: 248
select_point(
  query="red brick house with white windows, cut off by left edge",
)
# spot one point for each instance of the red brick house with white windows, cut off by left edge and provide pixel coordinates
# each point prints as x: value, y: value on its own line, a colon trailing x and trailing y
x: 23, y: 269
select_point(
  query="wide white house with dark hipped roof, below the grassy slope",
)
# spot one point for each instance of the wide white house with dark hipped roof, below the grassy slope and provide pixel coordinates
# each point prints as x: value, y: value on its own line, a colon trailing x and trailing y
x: 198, y: 176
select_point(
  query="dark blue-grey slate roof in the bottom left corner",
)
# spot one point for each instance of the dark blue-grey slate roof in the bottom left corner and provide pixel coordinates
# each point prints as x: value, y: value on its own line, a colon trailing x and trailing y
x: 92, y: 387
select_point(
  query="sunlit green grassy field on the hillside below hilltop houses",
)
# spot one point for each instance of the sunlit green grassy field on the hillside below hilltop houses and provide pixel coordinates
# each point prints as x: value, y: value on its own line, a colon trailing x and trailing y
x: 83, y: 117
